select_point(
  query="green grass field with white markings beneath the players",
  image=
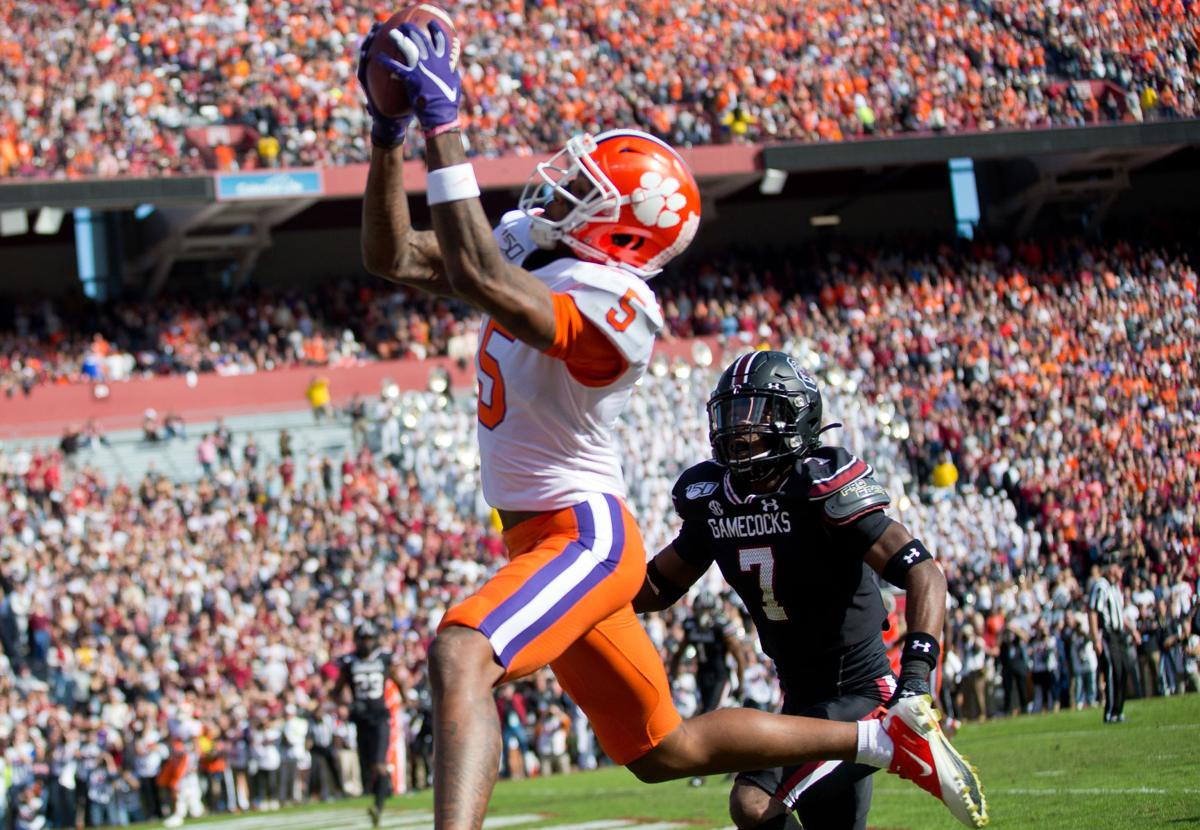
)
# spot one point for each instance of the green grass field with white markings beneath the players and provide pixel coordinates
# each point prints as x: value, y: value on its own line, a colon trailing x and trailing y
x: 1045, y: 772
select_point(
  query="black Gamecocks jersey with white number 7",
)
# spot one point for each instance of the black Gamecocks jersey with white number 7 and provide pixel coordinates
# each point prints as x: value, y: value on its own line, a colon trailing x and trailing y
x: 796, y: 560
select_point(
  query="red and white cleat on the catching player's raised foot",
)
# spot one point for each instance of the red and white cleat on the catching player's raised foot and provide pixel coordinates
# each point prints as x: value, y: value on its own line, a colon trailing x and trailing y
x: 926, y: 757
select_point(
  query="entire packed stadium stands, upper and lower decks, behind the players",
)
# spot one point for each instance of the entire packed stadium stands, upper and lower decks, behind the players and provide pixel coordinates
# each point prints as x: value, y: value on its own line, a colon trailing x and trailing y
x: 224, y: 444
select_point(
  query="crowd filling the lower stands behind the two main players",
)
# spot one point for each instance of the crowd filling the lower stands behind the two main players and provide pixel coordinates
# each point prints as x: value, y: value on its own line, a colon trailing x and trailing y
x: 1030, y: 411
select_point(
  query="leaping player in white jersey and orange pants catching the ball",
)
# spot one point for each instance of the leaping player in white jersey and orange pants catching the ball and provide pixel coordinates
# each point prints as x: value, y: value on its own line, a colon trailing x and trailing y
x: 569, y: 330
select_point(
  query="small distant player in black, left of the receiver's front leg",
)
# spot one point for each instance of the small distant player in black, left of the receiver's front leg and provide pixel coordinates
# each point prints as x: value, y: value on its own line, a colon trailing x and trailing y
x: 365, y: 672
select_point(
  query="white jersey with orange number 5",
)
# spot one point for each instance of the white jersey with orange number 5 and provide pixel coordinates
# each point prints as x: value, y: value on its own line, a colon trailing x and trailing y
x: 545, y: 440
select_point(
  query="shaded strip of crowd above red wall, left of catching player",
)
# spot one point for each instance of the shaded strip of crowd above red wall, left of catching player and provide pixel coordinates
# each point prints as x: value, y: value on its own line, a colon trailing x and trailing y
x: 337, y: 324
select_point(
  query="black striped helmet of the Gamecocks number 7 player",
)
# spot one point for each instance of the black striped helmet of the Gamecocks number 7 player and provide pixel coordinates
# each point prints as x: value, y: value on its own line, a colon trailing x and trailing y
x: 765, y: 395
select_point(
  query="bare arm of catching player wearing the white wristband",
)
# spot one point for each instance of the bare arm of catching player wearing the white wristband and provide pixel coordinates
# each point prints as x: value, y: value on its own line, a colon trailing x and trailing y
x: 476, y: 268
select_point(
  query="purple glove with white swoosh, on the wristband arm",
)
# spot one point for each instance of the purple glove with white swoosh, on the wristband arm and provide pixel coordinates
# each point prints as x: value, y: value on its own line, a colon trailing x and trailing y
x: 434, y: 85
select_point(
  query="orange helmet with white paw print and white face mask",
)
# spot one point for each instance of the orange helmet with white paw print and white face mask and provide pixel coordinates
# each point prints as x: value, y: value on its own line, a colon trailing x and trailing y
x: 641, y: 210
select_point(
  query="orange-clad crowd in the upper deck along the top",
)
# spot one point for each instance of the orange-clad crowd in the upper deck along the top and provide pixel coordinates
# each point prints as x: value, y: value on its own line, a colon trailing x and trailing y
x: 106, y: 88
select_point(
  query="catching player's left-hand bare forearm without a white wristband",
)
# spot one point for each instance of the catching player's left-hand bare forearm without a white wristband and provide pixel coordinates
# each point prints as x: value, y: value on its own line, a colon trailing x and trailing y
x: 392, y: 248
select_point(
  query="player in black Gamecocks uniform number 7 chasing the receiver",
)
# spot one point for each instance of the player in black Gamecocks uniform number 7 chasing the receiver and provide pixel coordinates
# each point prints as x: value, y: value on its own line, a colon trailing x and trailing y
x: 796, y: 530
